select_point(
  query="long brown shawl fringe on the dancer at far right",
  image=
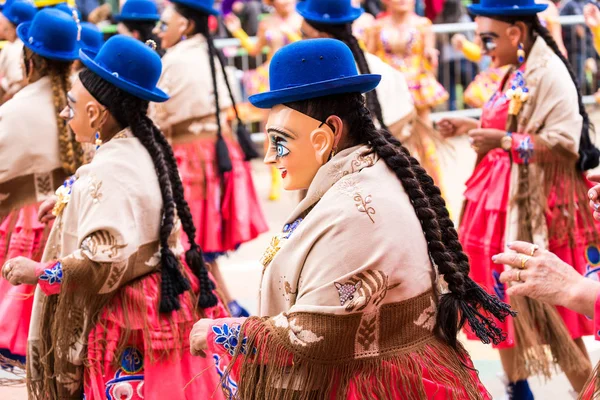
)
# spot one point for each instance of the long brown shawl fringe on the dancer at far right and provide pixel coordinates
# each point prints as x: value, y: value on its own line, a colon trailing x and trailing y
x: 539, y: 325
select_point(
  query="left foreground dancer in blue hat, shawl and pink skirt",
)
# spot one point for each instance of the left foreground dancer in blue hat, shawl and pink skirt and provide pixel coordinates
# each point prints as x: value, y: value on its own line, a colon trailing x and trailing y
x: 115, y: 301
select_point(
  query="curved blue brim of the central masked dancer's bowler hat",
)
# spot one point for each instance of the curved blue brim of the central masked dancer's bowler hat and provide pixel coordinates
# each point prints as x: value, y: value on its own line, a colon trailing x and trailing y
x: 352, y: 84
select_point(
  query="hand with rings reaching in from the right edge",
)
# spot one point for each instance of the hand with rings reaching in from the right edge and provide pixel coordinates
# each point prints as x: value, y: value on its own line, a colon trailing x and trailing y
x: 547, y: 278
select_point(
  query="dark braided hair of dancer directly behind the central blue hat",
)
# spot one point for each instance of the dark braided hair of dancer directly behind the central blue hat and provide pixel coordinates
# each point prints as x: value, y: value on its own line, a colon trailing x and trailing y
x: 344, y: 34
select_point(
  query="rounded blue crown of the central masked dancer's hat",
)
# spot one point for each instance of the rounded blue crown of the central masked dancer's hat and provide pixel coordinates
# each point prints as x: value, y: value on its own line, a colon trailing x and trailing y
x: 311, y: 61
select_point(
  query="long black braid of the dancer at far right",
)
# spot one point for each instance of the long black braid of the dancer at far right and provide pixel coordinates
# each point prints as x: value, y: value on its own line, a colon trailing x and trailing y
x: 589, y: 155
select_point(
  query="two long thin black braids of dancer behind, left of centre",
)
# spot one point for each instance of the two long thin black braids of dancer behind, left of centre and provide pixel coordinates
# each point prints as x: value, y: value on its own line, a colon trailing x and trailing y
x: 201, y: 27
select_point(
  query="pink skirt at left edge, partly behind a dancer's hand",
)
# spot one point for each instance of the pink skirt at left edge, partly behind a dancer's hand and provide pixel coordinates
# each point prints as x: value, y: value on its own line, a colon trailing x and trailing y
x: 20, y: 235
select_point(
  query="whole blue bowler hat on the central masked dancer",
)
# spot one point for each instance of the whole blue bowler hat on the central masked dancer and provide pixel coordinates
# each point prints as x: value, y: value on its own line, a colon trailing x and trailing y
x: 313, y: 68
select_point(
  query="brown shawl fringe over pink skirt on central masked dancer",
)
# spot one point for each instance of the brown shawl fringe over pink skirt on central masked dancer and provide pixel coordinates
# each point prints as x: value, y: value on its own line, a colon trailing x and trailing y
x: 271, y: 371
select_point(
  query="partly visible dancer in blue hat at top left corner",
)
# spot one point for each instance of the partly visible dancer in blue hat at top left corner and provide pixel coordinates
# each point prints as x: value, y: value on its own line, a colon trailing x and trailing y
x: 13, y: 14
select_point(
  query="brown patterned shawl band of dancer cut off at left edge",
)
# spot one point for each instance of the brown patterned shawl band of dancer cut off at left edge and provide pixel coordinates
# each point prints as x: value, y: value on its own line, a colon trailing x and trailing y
x: 29, y: 189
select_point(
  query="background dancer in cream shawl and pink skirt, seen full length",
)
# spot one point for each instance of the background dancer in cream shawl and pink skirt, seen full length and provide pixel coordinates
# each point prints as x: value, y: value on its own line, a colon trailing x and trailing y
x: 214, y: 169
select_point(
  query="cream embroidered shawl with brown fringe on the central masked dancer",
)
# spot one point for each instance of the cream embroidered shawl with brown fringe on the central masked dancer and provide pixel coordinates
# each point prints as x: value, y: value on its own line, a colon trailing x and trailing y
x: 348, y: 297
